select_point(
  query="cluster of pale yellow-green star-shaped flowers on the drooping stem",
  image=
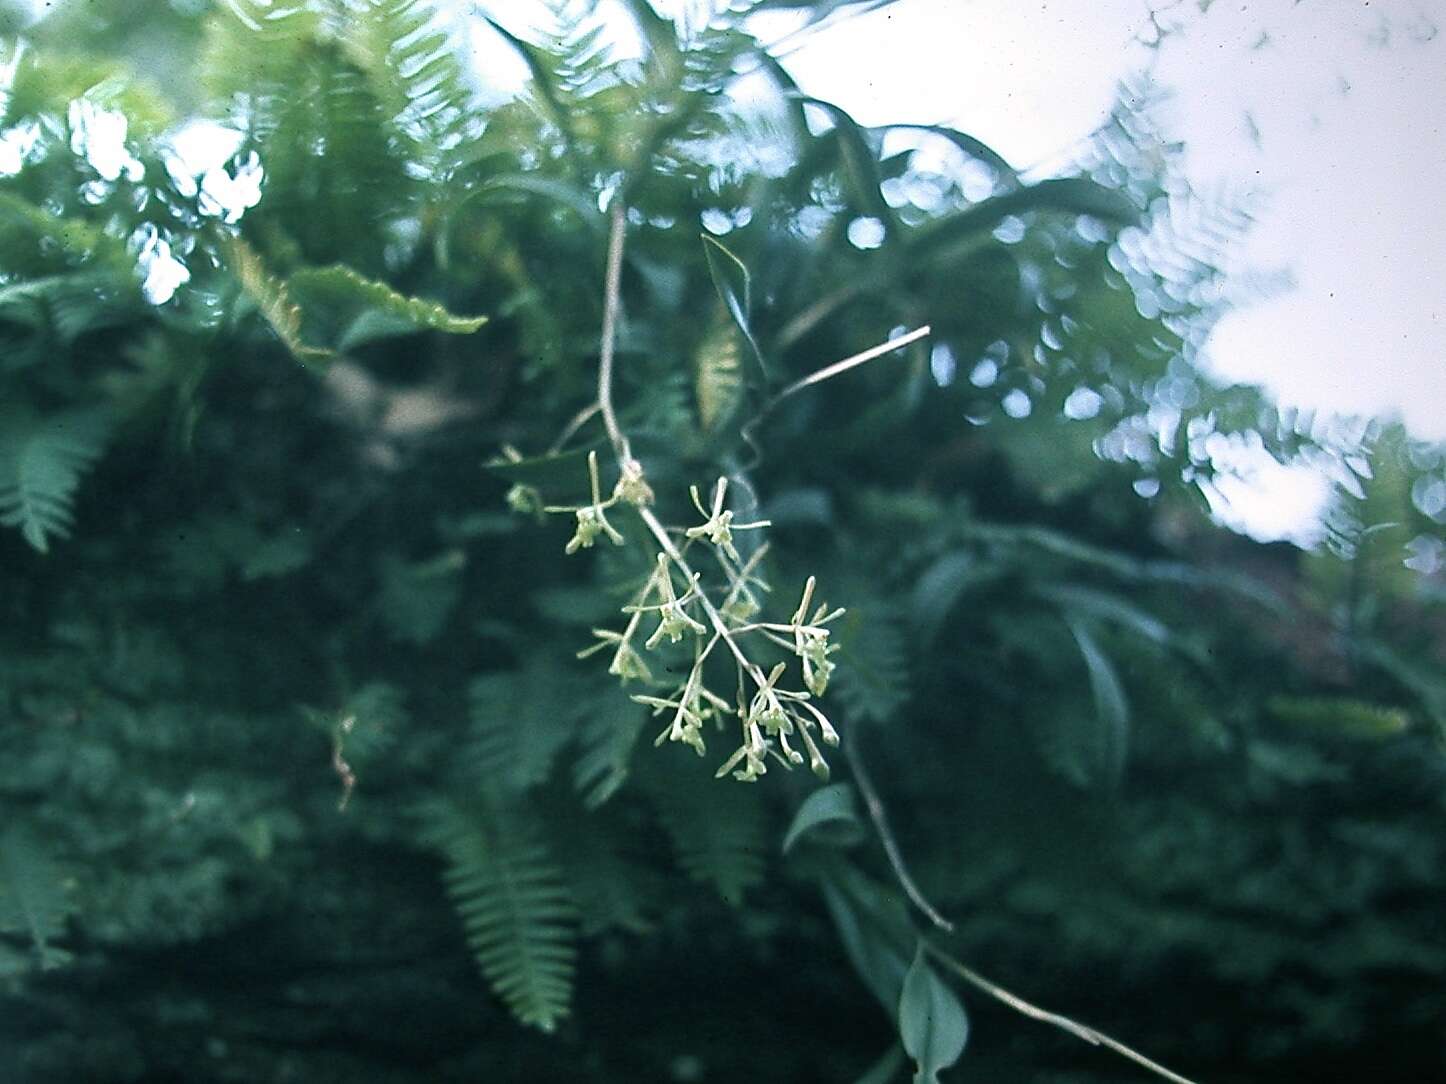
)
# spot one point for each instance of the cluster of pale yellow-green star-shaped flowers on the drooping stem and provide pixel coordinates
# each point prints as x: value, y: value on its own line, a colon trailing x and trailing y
x: 715, y: 619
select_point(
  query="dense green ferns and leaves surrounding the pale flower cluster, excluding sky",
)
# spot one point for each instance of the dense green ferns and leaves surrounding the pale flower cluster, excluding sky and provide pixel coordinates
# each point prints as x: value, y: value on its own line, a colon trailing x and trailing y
x: 290, y: 705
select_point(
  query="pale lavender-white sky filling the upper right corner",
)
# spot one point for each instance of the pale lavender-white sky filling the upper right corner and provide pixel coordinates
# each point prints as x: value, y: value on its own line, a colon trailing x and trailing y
x: 1351, y: 151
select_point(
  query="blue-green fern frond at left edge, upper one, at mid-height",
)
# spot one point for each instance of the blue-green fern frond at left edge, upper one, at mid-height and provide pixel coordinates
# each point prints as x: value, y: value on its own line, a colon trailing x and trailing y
x: 41, y: 466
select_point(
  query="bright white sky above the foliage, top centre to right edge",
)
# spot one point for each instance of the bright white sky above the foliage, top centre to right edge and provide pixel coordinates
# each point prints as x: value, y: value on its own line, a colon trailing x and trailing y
x: 1331, y: 112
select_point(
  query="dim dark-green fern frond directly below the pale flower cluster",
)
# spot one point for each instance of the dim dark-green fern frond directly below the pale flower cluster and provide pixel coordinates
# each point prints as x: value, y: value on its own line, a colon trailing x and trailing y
x: 716, y: 832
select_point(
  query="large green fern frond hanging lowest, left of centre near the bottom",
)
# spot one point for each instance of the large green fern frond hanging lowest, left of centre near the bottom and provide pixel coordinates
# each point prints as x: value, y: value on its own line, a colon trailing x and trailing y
x: 517, y: 913
